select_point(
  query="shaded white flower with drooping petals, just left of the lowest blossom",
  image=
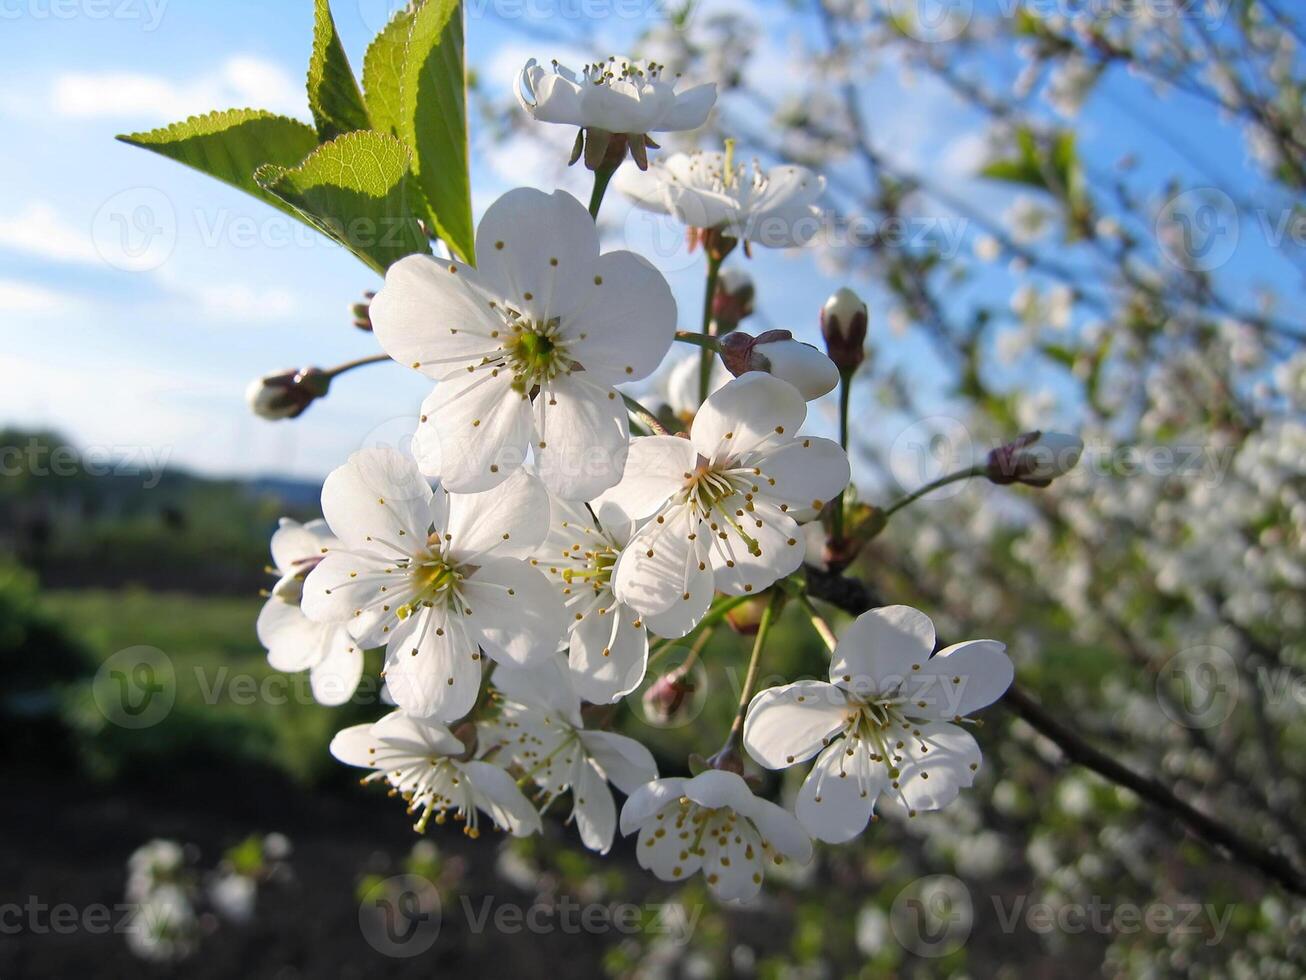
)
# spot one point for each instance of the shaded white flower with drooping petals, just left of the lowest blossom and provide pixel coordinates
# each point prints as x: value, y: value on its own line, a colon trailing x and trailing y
x: 540, y: 728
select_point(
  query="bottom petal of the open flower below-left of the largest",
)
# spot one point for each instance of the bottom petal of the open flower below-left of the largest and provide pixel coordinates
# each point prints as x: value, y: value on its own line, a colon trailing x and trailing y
x: 433, y: 668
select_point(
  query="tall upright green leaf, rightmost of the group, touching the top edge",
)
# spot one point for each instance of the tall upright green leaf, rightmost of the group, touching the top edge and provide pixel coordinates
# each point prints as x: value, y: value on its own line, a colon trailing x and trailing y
x: 434, y: 120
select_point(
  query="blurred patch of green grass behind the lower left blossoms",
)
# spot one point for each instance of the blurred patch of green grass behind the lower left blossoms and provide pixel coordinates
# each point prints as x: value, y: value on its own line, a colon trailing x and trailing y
x: 229, y: 708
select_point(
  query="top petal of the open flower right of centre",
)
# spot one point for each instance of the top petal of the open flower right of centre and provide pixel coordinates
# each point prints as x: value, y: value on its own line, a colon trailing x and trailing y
x: 746, y: 414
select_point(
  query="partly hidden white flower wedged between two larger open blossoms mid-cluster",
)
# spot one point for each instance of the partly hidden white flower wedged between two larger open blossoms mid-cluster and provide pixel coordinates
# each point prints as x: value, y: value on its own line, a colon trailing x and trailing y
x: 608, y: 644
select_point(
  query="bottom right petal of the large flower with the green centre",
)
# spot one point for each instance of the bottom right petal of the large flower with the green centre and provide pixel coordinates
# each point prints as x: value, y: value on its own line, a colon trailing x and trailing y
x: 582, y: 437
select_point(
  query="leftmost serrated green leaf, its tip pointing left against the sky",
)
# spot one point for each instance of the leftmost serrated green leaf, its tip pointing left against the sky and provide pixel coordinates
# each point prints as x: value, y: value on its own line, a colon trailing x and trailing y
x: 232, y: 146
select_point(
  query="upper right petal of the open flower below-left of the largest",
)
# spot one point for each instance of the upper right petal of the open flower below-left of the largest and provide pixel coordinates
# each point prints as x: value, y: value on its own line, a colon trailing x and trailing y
x: 510, y: 521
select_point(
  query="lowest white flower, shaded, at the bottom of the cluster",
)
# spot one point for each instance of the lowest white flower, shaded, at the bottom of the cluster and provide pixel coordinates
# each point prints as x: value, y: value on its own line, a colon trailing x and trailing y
x: 715, y: 825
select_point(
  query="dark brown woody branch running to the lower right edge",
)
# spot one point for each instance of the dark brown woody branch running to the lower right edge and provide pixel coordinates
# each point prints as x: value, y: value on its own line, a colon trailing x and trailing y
x: 853, y: 596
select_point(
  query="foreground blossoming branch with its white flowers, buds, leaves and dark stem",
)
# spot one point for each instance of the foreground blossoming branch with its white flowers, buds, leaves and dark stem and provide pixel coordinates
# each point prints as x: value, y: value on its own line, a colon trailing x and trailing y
x: 549, y: 536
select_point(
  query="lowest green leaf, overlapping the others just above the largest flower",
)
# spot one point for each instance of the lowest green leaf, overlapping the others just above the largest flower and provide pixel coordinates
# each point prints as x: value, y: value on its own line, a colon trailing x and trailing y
x: 356, y: 190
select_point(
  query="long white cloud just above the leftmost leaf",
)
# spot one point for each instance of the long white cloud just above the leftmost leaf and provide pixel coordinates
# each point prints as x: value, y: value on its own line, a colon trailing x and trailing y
x: 242, y: 82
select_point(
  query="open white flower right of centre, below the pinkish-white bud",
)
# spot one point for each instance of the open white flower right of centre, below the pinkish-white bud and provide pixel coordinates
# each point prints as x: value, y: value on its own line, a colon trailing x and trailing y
x: 723, y: 505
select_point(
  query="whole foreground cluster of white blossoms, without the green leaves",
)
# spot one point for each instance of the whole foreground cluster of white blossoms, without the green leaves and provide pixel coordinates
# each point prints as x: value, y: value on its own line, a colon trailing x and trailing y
x: 520, y: 561
